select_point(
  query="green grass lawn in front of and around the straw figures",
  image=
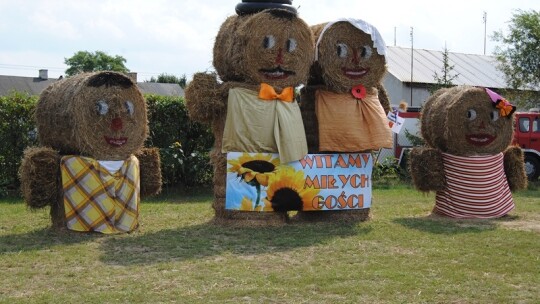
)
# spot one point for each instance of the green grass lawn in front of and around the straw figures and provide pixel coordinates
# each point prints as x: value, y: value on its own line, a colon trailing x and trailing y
x: 401, y: 255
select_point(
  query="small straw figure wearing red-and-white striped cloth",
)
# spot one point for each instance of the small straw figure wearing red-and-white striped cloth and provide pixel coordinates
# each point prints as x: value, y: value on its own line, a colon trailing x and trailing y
x: 467, y: 159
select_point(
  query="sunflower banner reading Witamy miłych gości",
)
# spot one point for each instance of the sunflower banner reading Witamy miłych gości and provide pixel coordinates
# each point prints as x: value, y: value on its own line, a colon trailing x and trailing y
x: 319, y: 182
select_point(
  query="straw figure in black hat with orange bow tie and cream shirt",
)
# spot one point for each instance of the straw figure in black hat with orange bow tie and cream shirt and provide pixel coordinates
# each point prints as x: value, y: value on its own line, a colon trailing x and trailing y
x: 260, y: 55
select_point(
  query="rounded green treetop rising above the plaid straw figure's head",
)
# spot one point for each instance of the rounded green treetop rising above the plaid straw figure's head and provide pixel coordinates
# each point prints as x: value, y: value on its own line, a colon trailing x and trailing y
x: 84, y: 61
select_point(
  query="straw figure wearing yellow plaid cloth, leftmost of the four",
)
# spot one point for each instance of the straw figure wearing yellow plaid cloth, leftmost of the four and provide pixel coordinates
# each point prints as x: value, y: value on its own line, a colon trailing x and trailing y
x: 91, y: 167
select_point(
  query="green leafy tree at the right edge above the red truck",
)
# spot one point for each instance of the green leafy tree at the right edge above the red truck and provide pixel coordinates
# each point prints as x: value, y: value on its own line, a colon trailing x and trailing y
x: 519, y: 57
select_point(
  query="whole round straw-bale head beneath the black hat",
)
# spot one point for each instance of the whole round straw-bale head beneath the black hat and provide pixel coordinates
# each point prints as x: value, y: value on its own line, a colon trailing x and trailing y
x: 273, y: 46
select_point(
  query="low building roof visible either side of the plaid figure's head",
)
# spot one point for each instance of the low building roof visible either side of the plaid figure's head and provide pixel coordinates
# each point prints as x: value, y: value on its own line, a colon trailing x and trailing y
x: 34, y: 85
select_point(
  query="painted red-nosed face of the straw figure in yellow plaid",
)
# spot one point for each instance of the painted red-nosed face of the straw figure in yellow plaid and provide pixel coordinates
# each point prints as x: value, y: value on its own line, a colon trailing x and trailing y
x: 117, y: 124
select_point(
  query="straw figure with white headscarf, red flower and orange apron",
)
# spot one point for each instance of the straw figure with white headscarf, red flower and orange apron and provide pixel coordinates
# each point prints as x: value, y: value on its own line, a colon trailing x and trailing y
x: 344, y: 105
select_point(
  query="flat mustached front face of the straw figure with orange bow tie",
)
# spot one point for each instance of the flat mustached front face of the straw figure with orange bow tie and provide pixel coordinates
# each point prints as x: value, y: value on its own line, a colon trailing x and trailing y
x: 279, y: 49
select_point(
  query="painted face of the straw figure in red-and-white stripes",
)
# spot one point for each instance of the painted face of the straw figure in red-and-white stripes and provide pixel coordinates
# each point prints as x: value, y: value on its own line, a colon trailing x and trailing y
x: 475, y: 126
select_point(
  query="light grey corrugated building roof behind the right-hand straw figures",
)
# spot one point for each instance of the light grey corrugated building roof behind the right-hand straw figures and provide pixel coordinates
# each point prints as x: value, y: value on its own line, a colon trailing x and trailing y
x: 476, y: 70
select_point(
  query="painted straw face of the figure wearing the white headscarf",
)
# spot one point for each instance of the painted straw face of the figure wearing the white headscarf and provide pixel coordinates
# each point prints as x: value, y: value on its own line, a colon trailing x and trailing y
x: 348, y: 58
